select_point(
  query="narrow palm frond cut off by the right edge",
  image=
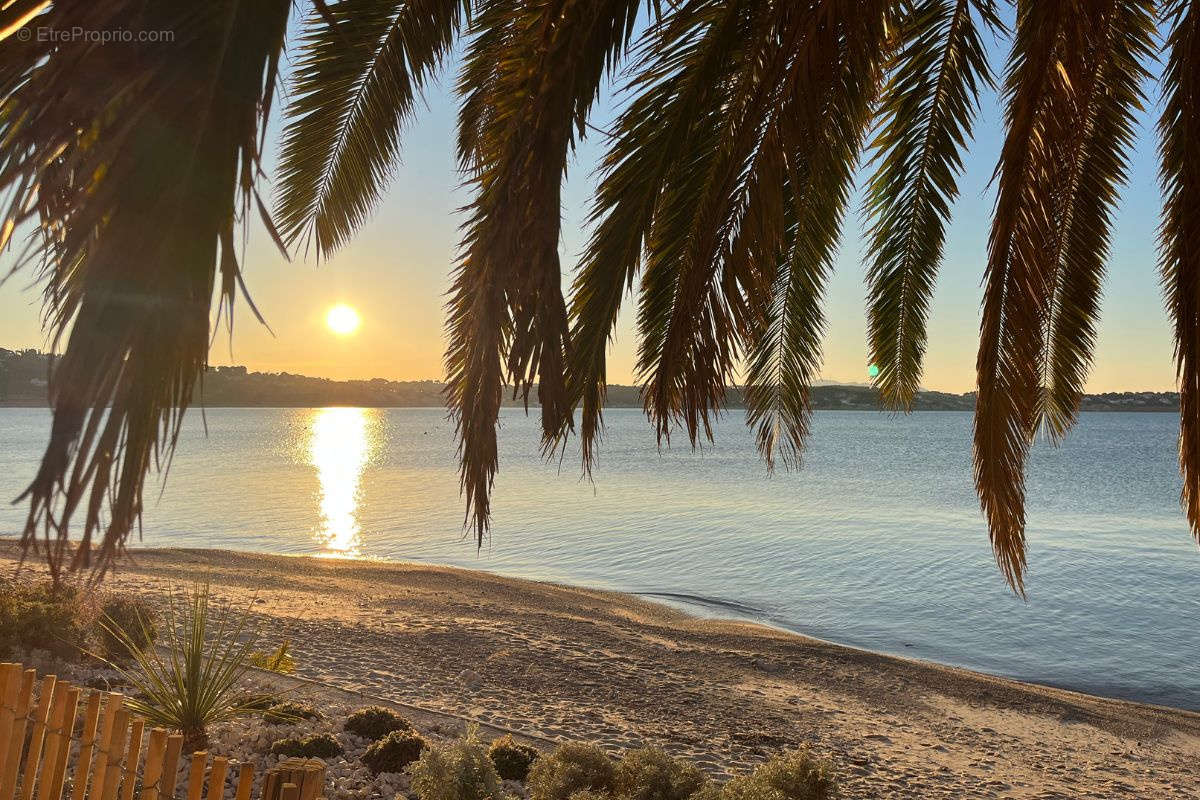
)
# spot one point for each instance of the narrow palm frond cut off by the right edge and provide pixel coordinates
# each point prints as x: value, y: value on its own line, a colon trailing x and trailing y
x: 1180, y: 236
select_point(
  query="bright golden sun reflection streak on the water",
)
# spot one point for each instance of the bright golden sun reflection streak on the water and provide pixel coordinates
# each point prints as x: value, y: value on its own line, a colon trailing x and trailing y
x: 340, y: 447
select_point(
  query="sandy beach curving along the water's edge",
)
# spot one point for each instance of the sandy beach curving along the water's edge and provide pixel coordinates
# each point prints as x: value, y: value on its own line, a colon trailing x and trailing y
x: 557, y: 663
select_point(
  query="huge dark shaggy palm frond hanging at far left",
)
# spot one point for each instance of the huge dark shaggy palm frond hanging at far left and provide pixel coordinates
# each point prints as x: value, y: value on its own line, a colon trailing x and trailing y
x: 134, y: 159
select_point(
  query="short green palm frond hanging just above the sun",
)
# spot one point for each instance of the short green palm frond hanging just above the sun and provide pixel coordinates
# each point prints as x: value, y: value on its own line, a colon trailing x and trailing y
x: 357, y: 82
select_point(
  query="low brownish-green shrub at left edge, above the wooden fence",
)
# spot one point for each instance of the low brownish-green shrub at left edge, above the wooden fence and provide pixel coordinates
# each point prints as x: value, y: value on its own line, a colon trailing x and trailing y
x: 44, y: 617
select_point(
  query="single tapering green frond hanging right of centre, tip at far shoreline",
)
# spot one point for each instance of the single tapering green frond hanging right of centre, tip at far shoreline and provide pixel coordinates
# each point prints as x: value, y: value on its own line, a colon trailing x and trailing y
x: 926, y: 117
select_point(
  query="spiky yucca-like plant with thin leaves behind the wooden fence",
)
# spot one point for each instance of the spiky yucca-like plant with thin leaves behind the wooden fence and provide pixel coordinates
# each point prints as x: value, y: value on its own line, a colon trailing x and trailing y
x: 195, y: 684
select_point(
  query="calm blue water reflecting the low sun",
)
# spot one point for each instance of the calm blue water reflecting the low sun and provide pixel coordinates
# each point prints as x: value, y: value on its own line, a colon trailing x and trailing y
x: 878, y: 543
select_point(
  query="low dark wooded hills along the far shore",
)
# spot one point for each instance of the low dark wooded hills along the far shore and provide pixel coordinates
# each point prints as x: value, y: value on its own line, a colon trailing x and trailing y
x: 23, y: 382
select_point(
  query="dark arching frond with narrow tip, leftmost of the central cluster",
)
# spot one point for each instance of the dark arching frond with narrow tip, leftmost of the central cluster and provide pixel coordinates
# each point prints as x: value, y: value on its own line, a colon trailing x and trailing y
x: 679, y: 95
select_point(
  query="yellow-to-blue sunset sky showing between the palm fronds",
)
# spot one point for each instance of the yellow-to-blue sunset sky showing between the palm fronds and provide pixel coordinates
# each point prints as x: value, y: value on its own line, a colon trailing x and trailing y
x: 397, y: 274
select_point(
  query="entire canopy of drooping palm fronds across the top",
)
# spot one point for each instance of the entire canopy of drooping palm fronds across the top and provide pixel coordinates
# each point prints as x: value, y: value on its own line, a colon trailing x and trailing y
x: 722, y: 199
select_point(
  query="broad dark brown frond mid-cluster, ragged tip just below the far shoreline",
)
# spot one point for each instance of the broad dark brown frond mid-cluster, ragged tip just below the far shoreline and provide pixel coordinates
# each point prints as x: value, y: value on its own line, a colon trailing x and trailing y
x: 688, y: 324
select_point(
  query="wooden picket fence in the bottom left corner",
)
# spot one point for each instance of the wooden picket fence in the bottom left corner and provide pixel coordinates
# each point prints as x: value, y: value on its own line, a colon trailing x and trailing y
x: 41, y: 745
